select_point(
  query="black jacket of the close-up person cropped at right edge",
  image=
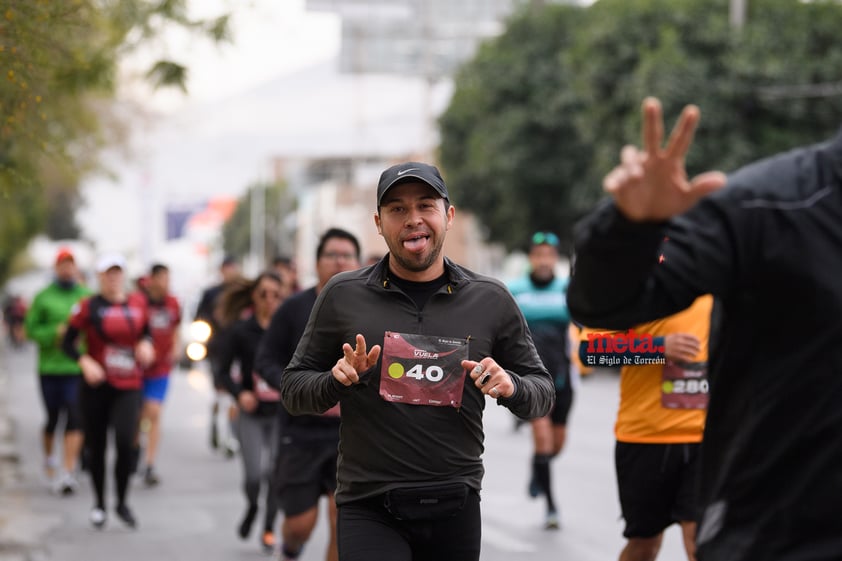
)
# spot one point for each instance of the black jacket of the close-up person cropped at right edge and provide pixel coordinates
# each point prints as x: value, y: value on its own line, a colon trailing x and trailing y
x: 769, y: 247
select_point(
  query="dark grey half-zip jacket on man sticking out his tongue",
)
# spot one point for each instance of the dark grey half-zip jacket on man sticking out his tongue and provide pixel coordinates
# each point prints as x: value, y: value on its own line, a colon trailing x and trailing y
x: 384, y: 445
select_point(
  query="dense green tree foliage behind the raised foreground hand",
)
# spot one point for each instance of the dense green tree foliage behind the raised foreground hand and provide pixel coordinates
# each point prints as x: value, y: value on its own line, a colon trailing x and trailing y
x: 540, y: 114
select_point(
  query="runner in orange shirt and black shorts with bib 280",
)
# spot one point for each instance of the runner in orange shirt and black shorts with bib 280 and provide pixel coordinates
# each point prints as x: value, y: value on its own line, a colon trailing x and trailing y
x: 663, y: 399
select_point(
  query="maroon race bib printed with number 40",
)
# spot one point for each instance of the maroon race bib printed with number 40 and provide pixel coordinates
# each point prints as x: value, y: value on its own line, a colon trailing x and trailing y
x: 423, y: 369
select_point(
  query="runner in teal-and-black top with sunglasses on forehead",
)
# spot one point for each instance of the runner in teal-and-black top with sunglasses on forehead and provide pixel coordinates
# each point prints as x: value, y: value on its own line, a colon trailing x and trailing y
x: 542, y: 297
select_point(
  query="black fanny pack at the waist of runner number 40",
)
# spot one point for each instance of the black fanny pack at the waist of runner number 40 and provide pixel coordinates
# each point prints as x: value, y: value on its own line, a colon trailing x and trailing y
x: 426, y: 503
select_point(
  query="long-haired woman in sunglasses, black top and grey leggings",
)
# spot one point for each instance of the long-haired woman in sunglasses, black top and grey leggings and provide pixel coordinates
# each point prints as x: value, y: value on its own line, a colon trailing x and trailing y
x: 258, y: 403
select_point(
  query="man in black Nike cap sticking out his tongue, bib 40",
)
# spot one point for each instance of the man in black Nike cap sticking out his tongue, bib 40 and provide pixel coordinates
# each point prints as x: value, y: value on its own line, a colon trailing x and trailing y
x: 441, y: 337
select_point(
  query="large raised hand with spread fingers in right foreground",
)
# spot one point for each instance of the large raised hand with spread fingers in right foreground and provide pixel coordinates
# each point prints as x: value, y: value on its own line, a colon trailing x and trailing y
x: 652, y: 184
